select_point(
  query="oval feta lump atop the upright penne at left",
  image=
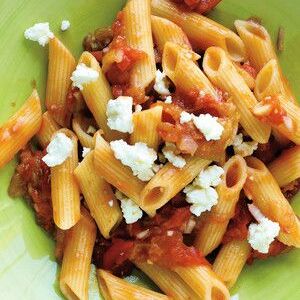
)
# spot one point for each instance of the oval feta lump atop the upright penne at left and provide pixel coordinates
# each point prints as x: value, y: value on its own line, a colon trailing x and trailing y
x: 58, y: 150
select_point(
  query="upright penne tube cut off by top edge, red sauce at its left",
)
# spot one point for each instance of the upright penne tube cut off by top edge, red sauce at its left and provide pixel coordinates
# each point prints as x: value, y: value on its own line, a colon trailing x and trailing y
x: 137, y: 25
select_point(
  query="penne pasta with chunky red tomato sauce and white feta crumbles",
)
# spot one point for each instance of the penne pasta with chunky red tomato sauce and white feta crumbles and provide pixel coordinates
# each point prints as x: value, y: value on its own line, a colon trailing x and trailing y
x: 171, y: 146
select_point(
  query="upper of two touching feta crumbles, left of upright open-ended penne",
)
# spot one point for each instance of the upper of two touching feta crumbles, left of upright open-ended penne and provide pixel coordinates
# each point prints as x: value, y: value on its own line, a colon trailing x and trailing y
x: 209, y: 177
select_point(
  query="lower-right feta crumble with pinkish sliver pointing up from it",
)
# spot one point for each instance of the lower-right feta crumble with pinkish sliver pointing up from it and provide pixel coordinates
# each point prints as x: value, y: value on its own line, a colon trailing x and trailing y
x: 261, y: 235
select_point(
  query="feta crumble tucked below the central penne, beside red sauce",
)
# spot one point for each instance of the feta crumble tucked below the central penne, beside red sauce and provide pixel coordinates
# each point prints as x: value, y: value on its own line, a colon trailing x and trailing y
x: 131, y: 211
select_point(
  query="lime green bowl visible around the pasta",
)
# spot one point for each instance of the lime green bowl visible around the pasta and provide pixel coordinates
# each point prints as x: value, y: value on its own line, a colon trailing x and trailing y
x: 27, y: 266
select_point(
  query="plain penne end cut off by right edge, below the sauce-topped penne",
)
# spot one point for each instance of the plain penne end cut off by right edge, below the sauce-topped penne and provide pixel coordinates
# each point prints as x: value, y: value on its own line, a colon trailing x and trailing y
x: 286, y: 168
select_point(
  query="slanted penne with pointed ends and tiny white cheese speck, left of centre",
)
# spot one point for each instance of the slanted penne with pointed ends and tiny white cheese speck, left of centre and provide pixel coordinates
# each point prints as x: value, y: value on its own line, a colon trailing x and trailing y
x: 101, y: 201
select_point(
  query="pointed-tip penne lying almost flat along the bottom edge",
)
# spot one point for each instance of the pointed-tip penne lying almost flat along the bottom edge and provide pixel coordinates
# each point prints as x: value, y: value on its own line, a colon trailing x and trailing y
x: 115, y: 288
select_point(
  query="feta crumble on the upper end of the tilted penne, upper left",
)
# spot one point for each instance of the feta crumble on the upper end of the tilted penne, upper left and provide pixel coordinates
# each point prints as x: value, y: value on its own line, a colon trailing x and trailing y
x: 83, y: 75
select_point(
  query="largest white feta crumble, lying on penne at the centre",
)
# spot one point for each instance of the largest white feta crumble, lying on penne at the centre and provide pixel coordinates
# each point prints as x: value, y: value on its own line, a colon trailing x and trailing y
x: 139, y: 157
